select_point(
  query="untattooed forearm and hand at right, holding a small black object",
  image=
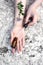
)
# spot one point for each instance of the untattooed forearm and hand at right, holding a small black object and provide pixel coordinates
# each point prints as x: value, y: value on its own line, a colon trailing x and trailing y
x: 32, y: 11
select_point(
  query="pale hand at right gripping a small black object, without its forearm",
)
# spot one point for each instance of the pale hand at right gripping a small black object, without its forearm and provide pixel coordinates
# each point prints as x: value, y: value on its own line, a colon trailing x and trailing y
x: 32, y: 11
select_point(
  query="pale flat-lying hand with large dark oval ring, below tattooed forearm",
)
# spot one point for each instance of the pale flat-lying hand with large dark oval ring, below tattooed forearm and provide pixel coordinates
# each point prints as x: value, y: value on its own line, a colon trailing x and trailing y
x: 19, y: 33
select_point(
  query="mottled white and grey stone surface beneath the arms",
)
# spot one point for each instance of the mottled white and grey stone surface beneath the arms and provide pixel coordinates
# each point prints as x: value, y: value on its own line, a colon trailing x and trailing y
x: 32, y: 54
